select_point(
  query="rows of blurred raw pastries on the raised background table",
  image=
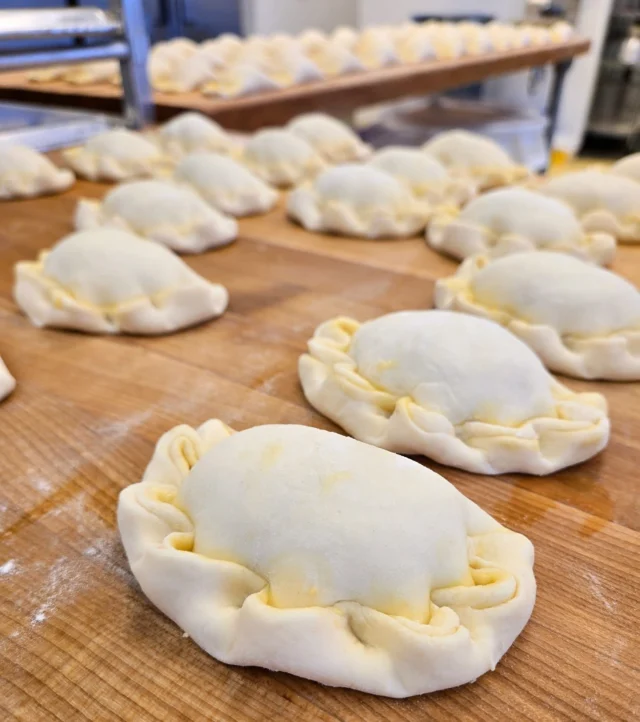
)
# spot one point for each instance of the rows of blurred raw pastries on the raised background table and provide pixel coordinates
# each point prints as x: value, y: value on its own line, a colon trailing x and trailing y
x: 230, y: 66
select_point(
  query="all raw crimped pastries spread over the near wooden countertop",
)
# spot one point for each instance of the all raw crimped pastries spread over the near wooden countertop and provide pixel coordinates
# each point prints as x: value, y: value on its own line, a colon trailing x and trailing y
x: 310, y: 552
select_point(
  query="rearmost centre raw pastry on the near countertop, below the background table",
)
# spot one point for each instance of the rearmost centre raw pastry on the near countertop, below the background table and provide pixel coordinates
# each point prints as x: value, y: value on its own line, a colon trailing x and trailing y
x: 334, y: 140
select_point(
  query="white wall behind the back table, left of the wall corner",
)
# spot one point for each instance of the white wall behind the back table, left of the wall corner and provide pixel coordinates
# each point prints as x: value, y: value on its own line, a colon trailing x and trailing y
x: 292, y: 16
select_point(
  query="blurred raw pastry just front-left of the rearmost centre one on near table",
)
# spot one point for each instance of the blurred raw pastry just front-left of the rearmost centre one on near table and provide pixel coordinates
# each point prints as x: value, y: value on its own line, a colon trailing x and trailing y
x: 281, y: 158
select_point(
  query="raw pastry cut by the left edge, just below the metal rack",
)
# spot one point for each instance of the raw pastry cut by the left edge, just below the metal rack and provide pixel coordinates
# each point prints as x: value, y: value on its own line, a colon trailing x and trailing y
x: 25, y: 173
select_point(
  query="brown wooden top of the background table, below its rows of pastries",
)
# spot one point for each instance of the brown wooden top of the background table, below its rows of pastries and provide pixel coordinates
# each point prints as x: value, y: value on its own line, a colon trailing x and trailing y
x: 277, y: 106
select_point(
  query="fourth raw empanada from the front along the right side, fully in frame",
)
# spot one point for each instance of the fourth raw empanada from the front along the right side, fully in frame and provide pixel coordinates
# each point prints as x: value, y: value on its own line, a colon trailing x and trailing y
x: 509, y: 220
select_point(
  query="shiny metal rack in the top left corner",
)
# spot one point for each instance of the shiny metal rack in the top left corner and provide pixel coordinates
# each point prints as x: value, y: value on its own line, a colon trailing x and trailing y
x: 117, y: 33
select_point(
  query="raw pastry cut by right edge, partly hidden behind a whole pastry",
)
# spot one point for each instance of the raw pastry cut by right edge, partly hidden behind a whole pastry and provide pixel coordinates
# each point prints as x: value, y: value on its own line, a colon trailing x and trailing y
x: 603, y: 201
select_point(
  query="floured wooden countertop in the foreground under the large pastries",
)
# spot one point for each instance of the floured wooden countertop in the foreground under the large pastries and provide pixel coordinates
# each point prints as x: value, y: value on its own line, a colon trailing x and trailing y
x: 79, y: 641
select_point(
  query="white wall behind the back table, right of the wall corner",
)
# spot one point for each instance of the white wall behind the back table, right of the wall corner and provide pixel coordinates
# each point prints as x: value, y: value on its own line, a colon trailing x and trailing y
x: 371, y: 12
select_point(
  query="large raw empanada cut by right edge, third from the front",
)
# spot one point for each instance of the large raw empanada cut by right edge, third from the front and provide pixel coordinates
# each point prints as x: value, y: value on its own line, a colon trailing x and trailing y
x: 581, y: 320
